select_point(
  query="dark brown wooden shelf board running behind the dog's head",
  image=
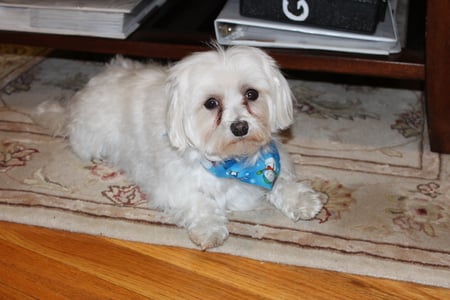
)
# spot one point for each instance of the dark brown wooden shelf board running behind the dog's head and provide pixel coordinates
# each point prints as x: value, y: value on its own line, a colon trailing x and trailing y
x: 407, y: 65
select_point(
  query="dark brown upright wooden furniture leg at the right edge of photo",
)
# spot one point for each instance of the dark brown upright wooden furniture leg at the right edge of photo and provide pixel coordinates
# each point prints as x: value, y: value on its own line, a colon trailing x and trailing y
x: 437, y: 68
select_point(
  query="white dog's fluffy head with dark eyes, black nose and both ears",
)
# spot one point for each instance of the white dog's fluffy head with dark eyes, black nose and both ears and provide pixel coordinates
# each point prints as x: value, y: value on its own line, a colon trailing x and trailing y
x: 226, y: 103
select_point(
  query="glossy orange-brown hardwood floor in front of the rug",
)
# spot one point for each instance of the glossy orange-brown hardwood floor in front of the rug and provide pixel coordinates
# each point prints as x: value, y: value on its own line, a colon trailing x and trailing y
x: 37, y: 263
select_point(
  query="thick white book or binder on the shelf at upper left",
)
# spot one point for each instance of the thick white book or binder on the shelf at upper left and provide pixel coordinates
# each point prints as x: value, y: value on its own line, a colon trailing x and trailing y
x: 102, y: 18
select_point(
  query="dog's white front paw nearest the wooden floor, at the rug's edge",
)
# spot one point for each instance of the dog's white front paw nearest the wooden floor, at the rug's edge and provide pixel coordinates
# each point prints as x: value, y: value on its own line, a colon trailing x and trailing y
x: 208, y: 236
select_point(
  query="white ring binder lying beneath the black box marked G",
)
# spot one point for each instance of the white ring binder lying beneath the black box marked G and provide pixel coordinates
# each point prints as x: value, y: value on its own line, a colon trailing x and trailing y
x: 233, y: 29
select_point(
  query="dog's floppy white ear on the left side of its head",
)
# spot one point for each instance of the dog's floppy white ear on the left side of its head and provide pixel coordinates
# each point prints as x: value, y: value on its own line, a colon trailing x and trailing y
x: 175, y: 115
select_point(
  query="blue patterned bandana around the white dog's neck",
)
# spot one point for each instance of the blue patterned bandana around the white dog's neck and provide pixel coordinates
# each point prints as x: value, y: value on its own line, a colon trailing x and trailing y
x: 262, y: 173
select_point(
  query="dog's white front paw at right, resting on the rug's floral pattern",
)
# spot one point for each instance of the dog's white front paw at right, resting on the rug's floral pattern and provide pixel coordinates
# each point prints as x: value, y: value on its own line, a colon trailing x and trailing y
x: 299, y: 202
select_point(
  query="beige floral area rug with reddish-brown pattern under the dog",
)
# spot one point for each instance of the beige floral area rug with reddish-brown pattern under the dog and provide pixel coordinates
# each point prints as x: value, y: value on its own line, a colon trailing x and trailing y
x: 388, y: 210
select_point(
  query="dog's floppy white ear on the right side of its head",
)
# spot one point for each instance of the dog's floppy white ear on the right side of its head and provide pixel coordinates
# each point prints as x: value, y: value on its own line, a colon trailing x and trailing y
x: 281, y: 105
